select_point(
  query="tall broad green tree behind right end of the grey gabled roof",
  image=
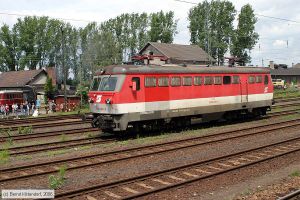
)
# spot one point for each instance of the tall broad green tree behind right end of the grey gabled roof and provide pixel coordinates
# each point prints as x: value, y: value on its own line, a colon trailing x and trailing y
x: 211, y: 27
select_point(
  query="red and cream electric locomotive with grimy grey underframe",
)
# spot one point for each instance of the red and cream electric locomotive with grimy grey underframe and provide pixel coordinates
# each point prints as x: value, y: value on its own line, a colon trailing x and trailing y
x: 151, y: 97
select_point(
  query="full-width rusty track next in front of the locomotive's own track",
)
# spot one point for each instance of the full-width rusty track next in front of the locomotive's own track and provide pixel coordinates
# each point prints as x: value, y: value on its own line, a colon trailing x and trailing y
x: 30, y: 170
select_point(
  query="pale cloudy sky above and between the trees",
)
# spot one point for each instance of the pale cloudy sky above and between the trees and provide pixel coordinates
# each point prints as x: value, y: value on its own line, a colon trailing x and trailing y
x: 279, y: 39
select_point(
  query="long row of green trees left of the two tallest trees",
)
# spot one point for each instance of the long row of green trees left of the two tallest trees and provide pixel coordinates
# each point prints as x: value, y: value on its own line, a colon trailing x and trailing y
x: 35, y: 42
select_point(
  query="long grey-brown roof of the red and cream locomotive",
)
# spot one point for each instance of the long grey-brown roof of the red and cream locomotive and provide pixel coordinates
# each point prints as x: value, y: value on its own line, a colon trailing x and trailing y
x: 178, y: 69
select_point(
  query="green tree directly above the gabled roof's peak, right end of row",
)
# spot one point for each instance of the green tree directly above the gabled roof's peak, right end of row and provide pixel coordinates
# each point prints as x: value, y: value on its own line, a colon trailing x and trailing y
x: 162, y: 27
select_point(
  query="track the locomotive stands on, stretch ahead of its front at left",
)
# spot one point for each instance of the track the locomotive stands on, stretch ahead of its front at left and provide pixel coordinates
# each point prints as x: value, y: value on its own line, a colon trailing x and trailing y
x: 50, y: 146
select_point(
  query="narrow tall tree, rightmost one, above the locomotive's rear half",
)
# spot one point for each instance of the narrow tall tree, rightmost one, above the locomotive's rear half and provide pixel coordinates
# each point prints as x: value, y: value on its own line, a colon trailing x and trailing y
x: 245, y: 36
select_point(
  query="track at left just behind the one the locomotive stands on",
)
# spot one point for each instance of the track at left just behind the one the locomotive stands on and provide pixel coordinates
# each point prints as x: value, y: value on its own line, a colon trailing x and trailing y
x: 47, y: 134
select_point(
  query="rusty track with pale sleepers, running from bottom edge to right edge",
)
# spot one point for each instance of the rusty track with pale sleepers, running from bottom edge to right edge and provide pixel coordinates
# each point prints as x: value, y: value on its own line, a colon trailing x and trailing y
x: 167, y: 179
